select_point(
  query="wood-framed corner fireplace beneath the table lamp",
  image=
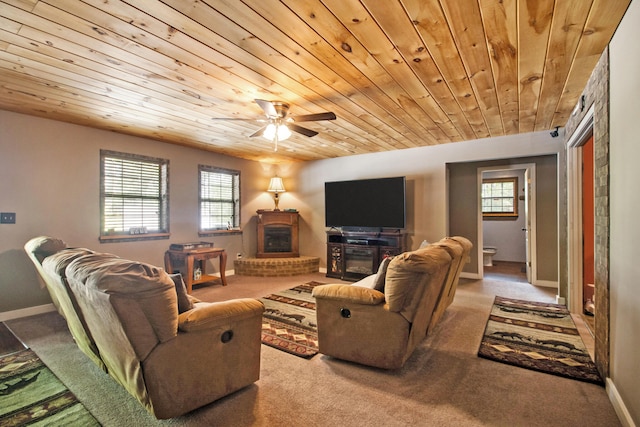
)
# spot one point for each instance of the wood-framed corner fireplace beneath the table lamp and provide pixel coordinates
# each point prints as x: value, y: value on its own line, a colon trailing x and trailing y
x: 277, y: 234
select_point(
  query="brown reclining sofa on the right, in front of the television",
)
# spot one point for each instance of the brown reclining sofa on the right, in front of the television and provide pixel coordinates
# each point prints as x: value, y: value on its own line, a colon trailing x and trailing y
x: 380, y: 320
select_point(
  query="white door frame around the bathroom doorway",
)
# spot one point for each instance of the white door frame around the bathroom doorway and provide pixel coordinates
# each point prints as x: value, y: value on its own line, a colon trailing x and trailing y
x: 530, y: 169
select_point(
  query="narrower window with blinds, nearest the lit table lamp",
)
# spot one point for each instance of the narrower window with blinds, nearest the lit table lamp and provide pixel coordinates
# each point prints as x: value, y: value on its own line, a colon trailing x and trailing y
x: 219, y: 199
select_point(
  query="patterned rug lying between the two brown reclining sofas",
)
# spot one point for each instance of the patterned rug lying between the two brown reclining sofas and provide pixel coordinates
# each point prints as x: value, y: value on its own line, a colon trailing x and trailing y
x: 289, y: 320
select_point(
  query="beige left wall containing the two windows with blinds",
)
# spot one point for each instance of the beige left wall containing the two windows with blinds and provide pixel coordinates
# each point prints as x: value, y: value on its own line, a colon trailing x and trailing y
x: 49, y: 176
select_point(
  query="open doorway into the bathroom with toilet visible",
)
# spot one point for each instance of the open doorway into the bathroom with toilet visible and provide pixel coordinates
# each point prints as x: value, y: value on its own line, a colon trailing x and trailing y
x: 511, y: 239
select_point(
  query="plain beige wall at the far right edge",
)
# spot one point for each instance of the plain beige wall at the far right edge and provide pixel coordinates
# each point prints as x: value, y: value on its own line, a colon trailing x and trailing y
x: 624, y: 151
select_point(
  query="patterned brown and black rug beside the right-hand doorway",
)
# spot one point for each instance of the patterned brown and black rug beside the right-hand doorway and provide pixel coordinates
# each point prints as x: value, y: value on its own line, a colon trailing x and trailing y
x: 537, y: 336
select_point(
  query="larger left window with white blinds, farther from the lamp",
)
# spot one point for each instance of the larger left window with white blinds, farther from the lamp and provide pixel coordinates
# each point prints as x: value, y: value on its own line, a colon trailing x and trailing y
x: 134, y: 197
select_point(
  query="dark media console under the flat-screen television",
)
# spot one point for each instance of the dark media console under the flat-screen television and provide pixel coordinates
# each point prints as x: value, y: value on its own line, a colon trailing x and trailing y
x: 354, y: 255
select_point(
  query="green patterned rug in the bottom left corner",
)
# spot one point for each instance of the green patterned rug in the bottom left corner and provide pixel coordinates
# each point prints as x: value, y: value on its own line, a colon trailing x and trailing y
x: 31, y: 394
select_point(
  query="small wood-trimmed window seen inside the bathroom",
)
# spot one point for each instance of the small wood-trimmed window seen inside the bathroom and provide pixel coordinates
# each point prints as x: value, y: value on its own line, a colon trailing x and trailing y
x: 500, y: 197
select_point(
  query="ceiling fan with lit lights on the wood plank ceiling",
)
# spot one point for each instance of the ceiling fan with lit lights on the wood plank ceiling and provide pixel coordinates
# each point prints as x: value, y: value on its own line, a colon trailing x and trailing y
x: 278, y: 126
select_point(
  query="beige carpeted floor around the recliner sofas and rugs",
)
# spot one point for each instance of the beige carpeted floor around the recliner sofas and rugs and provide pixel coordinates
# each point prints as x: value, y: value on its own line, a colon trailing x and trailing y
x: 444, y: 383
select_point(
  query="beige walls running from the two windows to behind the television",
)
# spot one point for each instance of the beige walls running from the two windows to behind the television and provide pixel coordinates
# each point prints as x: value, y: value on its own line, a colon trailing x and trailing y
x: 49, y: 176
